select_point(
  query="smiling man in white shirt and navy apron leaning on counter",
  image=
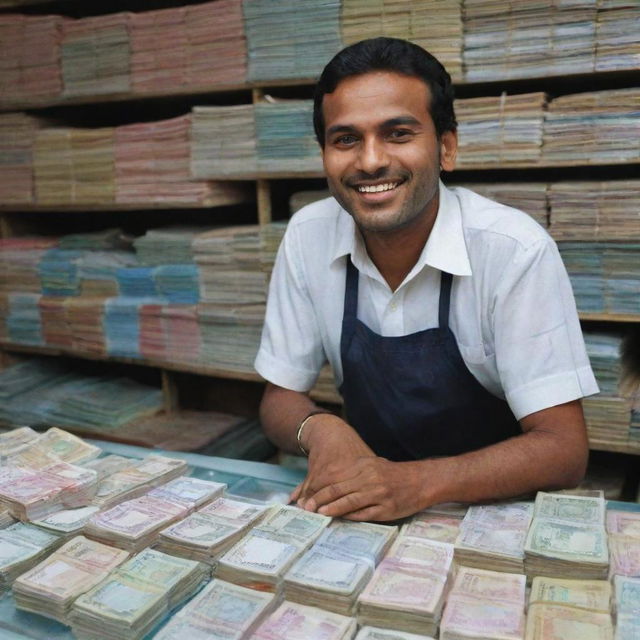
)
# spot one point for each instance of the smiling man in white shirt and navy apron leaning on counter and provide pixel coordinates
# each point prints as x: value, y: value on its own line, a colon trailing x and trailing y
x: 432, y: 305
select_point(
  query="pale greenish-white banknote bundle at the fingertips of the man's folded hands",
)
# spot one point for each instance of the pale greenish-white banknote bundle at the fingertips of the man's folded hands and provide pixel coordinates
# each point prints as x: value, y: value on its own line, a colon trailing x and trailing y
x: 263, y: 556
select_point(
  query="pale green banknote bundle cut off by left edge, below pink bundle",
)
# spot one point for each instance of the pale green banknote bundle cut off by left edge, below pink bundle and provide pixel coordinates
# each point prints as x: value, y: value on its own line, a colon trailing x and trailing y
x: 23, y: 546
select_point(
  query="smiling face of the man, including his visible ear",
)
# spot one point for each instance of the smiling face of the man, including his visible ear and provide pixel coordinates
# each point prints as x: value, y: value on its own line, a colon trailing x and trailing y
x: 381, y: 156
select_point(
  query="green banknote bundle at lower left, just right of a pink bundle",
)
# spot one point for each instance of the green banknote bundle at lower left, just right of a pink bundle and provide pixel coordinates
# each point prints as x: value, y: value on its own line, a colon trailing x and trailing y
x: 131, y: 600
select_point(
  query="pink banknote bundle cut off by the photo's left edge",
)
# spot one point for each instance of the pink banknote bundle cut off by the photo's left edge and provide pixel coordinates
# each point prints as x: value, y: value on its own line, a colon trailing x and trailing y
x: 29, y: 494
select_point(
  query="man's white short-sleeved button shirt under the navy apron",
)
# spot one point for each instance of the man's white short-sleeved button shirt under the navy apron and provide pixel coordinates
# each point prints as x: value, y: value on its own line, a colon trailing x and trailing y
x: 512, y: 307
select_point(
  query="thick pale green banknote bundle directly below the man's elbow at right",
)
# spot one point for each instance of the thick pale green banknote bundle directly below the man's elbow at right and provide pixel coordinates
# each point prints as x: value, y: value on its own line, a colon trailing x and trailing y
x: 567, y: 538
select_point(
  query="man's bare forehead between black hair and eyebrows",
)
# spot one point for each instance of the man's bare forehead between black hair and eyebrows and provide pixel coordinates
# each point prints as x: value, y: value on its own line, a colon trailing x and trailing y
x: 375, y: 97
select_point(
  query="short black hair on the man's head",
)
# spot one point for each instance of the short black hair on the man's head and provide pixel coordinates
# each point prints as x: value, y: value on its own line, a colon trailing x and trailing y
x: 388, y: 54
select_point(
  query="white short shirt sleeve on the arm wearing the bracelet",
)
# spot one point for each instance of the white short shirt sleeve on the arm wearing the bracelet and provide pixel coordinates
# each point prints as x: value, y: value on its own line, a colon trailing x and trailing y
x: 291, y: 352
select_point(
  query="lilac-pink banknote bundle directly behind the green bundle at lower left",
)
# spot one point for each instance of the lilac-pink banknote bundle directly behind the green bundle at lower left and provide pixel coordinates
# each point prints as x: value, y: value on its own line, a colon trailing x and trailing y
x: 134, y: 524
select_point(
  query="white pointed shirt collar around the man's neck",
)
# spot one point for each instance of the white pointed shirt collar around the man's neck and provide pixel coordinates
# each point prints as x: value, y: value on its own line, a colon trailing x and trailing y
x: 445, y: 250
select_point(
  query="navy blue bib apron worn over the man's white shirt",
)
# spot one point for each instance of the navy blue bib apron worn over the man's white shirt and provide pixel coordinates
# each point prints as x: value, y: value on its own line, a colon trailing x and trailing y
x: 412, y: 397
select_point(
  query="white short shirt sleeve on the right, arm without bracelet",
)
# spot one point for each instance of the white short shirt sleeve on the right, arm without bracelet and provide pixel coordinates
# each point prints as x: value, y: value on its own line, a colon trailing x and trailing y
x: 540, y: 353
